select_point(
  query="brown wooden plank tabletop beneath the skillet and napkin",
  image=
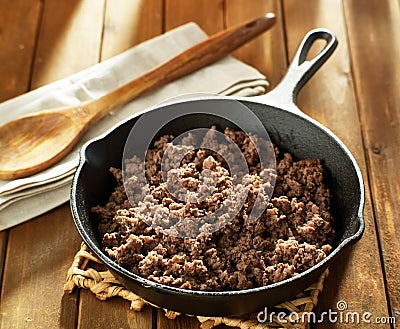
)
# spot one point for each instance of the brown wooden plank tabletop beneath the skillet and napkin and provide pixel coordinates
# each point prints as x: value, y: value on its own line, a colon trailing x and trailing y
x: 356, y: 94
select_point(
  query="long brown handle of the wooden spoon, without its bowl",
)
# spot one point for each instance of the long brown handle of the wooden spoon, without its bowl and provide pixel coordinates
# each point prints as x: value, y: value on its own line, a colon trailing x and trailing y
x: 198, y: 56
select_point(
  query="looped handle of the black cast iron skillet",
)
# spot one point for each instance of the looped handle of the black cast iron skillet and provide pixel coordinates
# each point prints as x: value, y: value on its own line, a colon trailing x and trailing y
x: 300, y: 70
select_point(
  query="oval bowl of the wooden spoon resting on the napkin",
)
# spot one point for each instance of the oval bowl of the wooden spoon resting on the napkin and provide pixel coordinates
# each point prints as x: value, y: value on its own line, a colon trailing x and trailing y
x: 38, y: 141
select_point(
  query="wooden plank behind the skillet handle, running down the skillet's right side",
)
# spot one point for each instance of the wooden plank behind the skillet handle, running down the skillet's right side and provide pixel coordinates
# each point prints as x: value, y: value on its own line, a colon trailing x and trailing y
x: 329, y: 97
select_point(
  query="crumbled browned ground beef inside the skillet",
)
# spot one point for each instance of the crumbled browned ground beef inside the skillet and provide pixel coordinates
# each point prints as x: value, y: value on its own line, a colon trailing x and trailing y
x: 293, y: 233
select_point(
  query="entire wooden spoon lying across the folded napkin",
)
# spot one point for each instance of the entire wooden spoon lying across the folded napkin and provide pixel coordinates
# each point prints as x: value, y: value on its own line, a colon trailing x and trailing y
x: 34, y: 142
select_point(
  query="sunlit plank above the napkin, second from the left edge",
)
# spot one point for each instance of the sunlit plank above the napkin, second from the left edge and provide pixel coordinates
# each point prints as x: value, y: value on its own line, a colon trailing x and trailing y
x: 70, y: 39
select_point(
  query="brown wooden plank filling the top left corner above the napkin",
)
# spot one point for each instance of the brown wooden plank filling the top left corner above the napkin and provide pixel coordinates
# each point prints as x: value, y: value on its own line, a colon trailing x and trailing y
x: 18, y: 29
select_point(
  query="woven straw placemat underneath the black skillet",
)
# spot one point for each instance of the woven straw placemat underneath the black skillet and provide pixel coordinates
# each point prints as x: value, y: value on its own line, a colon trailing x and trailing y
x: 87, y: 272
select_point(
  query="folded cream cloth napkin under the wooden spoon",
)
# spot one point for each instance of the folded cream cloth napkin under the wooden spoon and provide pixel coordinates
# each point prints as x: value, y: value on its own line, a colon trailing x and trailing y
x: 25, y: 198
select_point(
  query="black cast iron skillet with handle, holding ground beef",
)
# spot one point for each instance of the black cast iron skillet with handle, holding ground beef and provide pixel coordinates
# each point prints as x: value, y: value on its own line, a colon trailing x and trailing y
x: 290, y: 129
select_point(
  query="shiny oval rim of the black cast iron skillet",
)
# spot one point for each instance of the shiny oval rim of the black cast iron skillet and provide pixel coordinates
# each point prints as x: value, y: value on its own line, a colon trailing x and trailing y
x: 208, y: 294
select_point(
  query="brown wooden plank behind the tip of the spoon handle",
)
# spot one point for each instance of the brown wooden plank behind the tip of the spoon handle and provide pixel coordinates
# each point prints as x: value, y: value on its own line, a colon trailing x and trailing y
x: 267, y: 52
